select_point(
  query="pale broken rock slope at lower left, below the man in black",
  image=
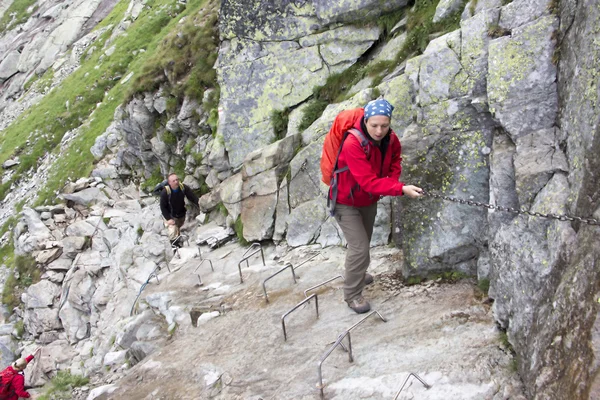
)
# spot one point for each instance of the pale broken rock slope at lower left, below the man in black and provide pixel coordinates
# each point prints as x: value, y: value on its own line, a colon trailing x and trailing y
x: 82, y: 304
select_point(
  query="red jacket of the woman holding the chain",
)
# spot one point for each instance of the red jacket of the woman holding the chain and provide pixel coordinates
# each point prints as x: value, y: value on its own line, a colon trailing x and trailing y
x: 368, y: 179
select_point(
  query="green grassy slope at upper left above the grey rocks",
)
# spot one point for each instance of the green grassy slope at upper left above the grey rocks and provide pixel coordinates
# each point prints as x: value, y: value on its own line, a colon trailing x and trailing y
x: 88, y: 98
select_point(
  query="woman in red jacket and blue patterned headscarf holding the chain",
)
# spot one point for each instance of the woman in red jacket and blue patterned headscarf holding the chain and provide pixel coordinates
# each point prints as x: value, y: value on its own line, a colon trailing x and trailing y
x: 372, y: 157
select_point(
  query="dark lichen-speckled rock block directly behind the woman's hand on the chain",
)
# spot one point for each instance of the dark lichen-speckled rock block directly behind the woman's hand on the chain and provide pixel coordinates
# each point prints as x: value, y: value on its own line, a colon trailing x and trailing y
x: 448, y: 151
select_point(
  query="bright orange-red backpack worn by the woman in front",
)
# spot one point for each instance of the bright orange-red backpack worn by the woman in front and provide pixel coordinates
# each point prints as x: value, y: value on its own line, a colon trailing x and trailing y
x: 332, y: 147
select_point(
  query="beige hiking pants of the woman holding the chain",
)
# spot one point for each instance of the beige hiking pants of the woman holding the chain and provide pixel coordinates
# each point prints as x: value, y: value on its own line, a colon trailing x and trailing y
x: 357, y: 225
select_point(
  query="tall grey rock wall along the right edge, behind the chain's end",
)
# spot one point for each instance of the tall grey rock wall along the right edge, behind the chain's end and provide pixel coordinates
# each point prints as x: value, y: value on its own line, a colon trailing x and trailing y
x: 545, y: 272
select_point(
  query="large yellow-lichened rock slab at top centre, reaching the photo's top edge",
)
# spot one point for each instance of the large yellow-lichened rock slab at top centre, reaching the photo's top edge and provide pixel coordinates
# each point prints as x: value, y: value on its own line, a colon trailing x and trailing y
x: 285, y: 58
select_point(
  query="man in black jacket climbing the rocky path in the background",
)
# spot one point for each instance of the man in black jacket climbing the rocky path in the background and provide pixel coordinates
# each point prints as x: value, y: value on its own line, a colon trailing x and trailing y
x: 172, y: 205
